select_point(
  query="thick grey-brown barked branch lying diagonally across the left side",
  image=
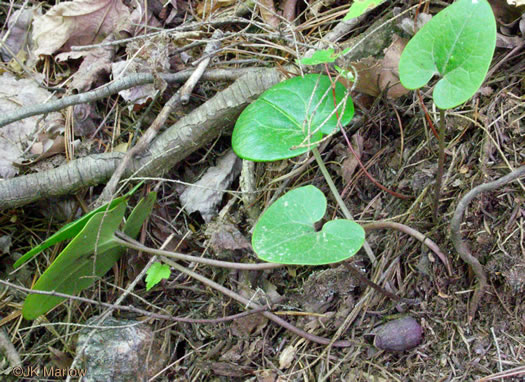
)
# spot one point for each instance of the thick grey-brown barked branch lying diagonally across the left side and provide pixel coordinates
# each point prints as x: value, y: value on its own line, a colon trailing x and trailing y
x: 187, y: 135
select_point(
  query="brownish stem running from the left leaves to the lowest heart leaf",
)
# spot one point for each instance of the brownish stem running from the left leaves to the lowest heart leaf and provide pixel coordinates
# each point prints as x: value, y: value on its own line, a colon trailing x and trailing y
x: 128, y: 242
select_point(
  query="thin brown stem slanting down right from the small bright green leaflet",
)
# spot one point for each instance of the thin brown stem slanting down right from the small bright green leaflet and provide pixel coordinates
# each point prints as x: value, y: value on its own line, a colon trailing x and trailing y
x: 278, y: 320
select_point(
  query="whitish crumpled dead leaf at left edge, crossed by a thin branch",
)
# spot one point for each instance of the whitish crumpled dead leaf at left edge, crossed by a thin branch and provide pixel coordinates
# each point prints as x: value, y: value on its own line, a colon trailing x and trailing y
x: 16, y: 137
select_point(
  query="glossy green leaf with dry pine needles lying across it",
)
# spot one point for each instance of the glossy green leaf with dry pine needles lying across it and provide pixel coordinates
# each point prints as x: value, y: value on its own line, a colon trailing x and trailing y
x: 292, y: 113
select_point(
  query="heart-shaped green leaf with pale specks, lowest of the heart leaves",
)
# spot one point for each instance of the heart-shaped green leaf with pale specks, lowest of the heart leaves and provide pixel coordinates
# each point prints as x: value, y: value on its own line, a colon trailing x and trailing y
x: 285, y: 233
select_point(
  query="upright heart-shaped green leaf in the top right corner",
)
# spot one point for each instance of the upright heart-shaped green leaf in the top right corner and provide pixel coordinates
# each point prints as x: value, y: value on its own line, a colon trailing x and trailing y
x: 458, y: 44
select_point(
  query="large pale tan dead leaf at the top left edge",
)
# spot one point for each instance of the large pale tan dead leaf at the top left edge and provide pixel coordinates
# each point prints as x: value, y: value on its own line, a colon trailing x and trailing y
x: 78, y: 22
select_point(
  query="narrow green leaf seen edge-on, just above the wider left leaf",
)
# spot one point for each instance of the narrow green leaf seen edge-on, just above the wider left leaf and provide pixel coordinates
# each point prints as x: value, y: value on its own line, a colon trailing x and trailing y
x: 72, y: 229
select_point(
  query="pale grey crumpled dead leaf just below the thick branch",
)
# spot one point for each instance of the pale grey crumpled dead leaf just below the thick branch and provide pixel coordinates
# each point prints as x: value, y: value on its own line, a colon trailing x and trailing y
x: 205, y: 195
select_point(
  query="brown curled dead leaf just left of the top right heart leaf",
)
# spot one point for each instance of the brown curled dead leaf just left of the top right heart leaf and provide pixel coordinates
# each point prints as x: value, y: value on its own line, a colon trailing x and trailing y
x: 375, y: 76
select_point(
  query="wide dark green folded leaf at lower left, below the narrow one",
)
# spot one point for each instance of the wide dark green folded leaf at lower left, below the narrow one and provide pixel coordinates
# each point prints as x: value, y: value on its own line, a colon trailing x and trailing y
x: 75, y: 267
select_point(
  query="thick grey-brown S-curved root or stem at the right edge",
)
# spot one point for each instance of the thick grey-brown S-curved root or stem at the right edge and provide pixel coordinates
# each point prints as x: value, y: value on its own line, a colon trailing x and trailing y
x: 461, y: 246
